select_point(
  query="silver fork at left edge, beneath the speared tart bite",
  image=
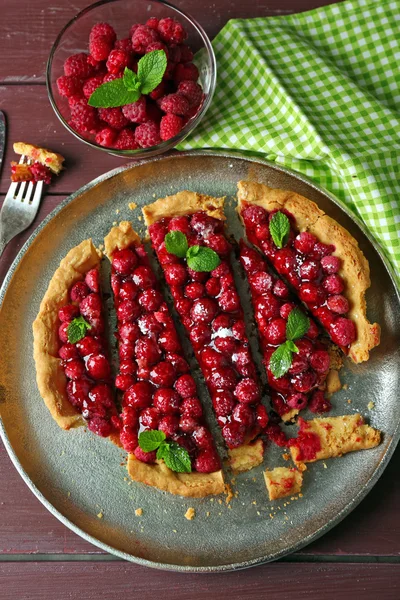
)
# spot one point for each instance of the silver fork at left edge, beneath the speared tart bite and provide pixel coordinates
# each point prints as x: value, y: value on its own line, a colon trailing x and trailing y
x: 19, y: 208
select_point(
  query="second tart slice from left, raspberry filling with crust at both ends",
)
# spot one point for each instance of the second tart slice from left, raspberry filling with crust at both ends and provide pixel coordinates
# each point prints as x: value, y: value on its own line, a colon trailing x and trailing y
x: 159, y: 394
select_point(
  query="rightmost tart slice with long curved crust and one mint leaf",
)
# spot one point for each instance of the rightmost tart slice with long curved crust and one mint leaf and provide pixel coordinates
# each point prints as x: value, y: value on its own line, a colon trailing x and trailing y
x: 318, y: 257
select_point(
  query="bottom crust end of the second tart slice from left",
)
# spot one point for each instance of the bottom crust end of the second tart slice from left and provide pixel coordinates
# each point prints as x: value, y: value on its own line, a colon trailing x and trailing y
x: 194, y: 485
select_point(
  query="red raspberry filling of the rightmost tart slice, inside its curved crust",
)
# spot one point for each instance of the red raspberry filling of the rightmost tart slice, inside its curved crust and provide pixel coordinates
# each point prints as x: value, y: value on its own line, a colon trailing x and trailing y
x: 310, y: 267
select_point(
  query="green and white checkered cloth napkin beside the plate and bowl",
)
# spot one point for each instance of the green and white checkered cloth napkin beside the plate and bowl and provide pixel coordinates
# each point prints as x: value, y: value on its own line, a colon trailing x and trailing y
x: 318, y: 92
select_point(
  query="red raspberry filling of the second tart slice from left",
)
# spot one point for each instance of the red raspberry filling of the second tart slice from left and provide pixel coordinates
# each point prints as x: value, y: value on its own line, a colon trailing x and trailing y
x: 158, y: 391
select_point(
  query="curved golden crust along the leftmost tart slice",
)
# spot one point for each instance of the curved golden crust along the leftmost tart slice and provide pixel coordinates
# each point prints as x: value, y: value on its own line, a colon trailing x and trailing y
x: 50, y: 375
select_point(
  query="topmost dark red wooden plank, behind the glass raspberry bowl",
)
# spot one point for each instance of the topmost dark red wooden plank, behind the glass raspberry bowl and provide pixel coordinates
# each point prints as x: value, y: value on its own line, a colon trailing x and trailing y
x: 31, y: 31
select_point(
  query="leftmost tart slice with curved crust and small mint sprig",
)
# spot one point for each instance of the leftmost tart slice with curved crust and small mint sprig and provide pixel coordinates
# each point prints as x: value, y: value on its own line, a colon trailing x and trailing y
x: 72, y: 368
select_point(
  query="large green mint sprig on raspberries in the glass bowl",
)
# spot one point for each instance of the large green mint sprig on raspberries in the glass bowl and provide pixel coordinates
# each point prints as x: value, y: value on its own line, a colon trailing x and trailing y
x: 129, y: 88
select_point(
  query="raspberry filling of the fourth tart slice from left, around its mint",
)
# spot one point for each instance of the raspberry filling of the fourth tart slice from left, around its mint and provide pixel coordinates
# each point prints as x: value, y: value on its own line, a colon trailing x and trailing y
x: 272, y: 305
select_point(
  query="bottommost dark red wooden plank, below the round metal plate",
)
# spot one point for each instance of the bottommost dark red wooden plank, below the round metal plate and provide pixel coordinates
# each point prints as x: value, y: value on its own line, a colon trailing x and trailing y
x: 280, y: 581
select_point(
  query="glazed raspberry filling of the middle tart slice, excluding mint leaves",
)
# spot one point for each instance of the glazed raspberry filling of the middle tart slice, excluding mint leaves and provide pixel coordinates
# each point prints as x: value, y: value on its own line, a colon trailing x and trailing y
x: 210, y: 309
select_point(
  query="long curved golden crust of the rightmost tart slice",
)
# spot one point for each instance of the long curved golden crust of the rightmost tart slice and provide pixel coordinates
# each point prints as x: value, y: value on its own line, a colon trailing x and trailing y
x: 354, y: 269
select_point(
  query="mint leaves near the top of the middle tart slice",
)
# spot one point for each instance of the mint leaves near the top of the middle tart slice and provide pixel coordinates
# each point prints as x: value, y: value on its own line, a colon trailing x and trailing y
x: 199, y: 258
